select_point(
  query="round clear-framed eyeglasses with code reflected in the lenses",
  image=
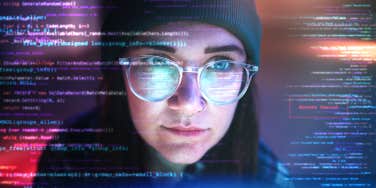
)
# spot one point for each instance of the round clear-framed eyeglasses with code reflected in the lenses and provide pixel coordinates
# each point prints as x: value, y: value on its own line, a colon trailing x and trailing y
x: 154, y: 78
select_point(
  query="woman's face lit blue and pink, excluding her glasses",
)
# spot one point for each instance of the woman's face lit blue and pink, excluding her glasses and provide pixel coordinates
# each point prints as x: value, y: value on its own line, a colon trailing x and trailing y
x: 185, y: 126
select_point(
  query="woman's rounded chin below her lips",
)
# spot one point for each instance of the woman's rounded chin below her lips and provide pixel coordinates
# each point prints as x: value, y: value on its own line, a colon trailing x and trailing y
x: 183, y: 153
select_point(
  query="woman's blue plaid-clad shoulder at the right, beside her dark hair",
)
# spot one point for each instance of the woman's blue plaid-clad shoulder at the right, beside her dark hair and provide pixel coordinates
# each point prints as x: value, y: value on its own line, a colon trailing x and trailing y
x: 270, y: 169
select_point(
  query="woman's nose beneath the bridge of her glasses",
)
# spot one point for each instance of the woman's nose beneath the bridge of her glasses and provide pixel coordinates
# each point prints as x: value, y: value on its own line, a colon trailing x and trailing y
x: 188, y: 99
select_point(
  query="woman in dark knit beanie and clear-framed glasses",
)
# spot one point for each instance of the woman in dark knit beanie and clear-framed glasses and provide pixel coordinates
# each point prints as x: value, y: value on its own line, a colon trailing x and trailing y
x: 189, y: 107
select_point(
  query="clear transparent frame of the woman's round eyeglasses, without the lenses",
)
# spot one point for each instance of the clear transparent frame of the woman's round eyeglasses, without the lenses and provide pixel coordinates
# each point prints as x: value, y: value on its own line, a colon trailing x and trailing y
x: 251, y: 70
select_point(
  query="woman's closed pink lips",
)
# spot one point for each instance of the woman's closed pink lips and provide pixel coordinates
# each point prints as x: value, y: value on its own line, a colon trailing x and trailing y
x: 190, y: 131
